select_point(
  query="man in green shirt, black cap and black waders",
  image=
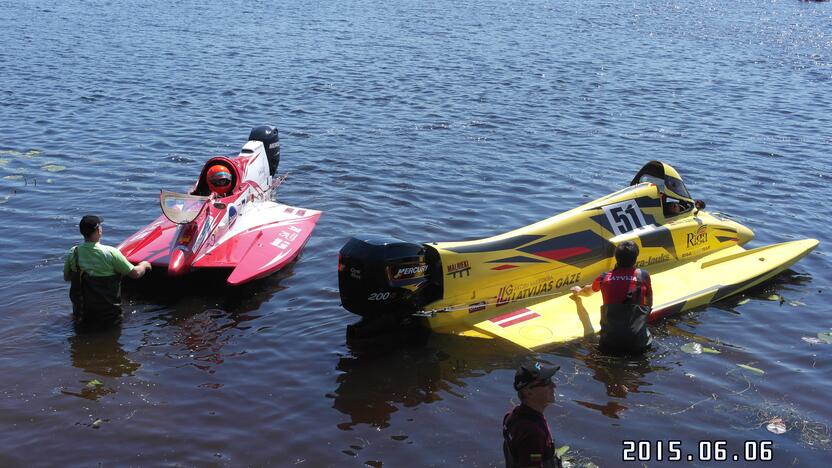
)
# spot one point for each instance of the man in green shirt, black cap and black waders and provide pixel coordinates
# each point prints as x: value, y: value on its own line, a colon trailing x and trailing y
x: 95, y: 272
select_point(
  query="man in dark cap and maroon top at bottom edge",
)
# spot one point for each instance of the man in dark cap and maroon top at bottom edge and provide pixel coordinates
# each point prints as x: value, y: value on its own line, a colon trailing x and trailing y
x: 527, y: 440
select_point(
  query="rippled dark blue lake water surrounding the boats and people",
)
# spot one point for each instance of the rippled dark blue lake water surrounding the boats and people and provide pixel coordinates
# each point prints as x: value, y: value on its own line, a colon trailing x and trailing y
x: 427, y: 121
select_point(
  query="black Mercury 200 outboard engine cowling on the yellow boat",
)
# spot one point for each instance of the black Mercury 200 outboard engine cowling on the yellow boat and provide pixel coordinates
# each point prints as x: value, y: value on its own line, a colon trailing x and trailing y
x: 382, y: 275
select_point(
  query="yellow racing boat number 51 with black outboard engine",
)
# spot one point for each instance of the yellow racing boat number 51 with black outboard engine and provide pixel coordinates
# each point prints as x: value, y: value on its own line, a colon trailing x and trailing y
x: 516, y: 285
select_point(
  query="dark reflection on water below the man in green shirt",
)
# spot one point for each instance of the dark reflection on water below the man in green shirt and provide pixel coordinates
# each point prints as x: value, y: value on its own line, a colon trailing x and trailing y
x: 99, y: 353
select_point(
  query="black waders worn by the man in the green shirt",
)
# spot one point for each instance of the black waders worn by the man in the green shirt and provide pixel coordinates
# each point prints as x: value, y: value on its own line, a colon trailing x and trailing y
x: 96, y: 300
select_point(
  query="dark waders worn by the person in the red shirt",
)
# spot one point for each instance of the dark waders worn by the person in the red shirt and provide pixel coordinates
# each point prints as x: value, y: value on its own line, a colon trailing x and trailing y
x: 624, y: 326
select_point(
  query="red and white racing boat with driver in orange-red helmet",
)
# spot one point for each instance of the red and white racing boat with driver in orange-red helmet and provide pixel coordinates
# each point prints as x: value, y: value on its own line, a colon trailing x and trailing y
x: 229, y: 220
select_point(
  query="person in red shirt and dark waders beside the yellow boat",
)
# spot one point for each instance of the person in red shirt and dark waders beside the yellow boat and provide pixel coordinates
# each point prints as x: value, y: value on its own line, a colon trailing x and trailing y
x: 628, y: 299
